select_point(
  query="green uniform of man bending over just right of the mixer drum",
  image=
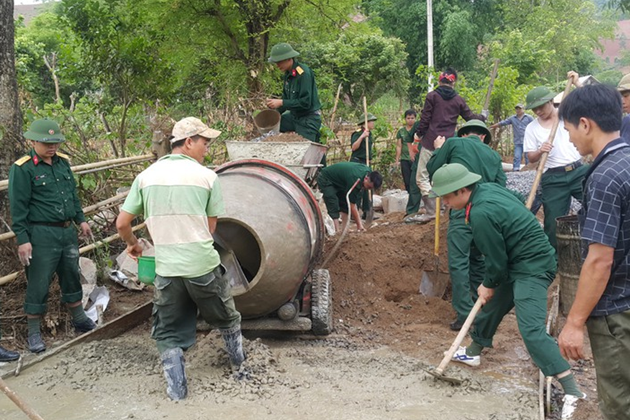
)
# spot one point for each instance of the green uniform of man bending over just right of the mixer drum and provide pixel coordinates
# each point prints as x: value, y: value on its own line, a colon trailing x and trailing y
x: 336, y: 180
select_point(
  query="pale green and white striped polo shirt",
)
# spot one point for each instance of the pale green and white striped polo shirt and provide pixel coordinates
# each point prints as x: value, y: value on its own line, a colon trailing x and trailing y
x: 177, y: 195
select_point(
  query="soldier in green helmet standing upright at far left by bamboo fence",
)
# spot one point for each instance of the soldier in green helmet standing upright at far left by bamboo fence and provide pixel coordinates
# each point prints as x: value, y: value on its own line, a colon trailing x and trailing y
x: 44, y: 205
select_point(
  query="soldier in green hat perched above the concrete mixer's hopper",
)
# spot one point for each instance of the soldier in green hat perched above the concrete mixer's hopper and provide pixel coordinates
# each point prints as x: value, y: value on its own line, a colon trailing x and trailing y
x: 299, y: 106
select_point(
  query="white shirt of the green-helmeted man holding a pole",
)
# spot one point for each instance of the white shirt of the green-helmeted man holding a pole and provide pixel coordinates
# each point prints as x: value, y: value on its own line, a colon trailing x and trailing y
x: 563, y: 152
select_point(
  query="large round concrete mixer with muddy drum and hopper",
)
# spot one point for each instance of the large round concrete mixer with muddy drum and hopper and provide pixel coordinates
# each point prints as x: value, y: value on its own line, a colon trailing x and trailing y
x: 271, y: 237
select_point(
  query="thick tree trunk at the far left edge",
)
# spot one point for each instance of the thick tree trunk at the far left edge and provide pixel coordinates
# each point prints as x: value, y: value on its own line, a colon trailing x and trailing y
x: 11, y: 143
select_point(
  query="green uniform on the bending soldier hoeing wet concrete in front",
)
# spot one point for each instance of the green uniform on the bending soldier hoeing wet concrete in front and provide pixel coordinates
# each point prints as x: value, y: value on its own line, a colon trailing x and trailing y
x: 520, y: 266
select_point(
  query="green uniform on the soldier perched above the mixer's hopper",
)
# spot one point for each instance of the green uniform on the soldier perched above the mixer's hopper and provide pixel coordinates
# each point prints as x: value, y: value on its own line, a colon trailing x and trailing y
x: 300, y: 103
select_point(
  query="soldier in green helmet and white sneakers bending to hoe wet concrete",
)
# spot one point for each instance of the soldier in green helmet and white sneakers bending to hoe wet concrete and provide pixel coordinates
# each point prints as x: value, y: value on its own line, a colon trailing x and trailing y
x: 520, y: 266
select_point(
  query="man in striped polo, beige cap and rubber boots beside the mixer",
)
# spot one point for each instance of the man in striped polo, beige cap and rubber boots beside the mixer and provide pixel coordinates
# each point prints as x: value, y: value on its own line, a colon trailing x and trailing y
x: 181, y: 200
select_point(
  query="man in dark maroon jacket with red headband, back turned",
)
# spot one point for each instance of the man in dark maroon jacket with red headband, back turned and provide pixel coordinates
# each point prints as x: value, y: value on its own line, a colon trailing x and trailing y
x: 441, y: 109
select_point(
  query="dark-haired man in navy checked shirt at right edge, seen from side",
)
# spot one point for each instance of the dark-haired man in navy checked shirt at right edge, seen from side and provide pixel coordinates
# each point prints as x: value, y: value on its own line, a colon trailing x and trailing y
x: 592, y: 116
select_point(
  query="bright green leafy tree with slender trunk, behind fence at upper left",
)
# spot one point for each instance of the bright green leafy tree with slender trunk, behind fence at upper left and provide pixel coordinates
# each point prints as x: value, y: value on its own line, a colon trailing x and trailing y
x: 120, y: 50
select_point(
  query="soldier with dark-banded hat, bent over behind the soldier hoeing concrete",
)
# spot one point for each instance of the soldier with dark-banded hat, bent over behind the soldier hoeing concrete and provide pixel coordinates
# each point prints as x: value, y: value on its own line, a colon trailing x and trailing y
x: 465, y: 262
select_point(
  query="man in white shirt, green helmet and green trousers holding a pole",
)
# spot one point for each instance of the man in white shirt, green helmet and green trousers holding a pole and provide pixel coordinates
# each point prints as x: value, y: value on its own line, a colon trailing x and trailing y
x: 563, y: 172
